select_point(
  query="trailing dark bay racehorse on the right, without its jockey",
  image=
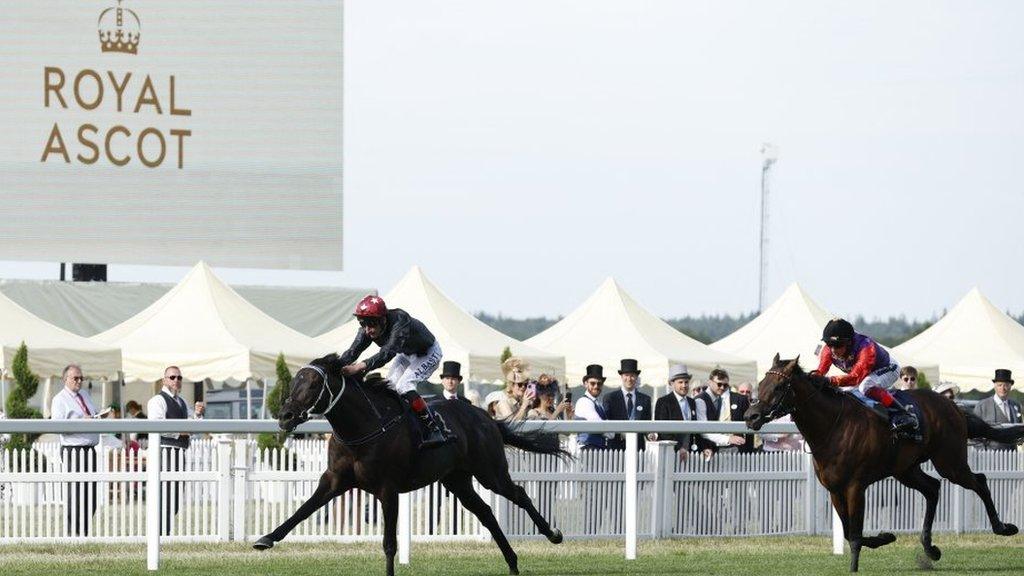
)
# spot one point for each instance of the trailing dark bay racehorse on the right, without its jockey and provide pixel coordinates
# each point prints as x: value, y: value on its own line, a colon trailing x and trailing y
x: 855, y: 448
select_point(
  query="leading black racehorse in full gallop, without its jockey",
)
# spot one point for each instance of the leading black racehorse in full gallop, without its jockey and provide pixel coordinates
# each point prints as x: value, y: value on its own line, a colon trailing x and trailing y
x: 375, y: 448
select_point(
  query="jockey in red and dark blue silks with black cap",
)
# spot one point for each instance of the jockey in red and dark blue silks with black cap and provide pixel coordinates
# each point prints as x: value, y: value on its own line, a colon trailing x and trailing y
x: 868, y: 366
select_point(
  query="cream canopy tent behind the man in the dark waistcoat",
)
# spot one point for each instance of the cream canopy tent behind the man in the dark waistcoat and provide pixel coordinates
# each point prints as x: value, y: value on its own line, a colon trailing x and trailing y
x: 207, y: 330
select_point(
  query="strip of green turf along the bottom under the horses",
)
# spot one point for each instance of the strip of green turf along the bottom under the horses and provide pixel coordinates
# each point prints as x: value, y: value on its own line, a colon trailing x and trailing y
x: 975, y: 555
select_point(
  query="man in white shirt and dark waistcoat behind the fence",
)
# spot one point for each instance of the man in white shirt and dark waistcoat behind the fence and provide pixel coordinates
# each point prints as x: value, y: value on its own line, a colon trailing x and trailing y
x: 168, y: 405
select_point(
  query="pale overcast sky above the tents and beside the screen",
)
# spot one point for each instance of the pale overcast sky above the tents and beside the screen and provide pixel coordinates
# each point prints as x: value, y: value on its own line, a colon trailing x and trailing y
x: 523, y: 151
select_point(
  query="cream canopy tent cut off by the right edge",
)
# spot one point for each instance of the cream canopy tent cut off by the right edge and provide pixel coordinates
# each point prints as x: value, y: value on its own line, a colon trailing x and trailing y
x: 970, y: 343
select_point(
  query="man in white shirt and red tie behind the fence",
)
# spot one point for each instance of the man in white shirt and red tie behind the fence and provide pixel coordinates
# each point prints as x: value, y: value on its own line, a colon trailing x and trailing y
x: 77, y: 450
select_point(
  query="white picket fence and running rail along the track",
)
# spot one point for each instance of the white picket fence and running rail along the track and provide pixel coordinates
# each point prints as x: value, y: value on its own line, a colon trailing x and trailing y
x: 227, y: 489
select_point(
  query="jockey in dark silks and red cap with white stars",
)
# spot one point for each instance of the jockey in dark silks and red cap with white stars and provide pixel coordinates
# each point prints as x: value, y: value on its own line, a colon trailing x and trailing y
x: 416, y: 355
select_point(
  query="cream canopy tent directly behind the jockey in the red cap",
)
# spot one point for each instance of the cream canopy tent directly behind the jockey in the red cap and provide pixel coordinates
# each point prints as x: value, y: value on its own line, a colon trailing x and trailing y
x: 463, y: 338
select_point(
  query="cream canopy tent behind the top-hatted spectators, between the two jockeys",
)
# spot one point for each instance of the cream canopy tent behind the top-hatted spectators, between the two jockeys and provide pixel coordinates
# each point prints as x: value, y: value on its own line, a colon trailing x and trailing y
x: 611, y: 326
